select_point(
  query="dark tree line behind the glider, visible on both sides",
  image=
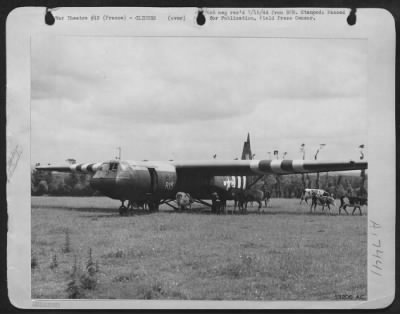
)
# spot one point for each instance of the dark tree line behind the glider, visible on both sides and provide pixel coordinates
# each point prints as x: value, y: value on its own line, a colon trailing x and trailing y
x: 285, y: 186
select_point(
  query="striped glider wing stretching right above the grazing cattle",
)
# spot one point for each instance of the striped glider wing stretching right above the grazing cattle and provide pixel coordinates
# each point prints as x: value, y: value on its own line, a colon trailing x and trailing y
x: 261, y: 167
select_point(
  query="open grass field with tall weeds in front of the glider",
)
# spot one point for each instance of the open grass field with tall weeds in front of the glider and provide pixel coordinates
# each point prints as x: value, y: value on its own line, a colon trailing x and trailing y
x: 284, y: 254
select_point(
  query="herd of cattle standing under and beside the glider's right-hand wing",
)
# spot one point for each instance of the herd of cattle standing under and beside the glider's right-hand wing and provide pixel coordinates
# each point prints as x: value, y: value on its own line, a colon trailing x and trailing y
x: 242, y: 198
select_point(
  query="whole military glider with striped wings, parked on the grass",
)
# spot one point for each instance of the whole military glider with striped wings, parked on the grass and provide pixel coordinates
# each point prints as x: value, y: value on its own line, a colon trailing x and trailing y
x: 157, y: 182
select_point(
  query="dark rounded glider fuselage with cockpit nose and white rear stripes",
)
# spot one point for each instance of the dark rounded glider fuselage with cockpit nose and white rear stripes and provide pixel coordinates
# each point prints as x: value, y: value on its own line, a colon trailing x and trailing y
x: 129, y: 181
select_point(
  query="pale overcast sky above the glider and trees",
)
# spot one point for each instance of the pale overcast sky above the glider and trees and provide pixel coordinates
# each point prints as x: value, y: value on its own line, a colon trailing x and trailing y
x: 191, y: 98
